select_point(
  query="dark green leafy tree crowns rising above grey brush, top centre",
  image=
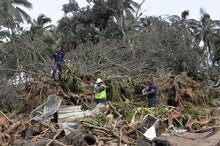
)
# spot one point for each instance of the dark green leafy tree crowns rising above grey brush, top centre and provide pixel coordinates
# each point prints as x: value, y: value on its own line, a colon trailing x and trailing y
x: 103, y: 20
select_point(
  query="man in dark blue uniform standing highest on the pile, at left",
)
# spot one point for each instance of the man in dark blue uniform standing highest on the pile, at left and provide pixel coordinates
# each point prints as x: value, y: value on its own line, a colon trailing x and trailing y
x: 58, y: 60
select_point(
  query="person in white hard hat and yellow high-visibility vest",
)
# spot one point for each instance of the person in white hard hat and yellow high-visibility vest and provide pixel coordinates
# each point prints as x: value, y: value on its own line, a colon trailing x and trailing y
x: 100, y: 92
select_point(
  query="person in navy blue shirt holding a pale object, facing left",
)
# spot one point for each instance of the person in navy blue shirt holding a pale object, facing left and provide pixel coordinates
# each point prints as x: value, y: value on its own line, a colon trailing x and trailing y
x: 151, y: 92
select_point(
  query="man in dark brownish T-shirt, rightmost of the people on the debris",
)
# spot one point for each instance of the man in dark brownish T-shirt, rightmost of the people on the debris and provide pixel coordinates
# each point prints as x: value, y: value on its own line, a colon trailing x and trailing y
x: 173, y: 92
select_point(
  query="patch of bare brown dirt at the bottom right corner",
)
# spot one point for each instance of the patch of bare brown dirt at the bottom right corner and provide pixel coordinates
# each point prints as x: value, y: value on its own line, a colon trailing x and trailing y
x: 194, y: 139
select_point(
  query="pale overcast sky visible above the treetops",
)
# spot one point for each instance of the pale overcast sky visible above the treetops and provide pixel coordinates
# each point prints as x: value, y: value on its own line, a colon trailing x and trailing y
x: 53, y: 8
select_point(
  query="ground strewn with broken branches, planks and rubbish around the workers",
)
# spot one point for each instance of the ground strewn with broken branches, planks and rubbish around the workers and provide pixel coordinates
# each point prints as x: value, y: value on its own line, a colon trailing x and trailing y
x: 77, y: 121
